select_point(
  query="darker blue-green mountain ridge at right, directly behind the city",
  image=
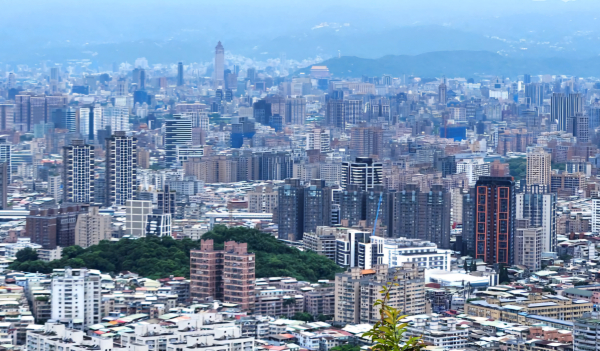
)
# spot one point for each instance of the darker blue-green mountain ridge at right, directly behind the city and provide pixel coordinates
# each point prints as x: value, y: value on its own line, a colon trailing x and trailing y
x: 459, y: 64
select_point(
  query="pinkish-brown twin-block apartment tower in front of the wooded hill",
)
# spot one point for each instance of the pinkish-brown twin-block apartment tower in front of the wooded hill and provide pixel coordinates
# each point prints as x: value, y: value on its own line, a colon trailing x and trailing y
x: 227, y: 275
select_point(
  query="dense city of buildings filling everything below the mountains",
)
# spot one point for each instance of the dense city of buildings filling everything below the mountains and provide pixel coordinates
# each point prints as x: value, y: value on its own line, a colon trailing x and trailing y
x: 262, y: 205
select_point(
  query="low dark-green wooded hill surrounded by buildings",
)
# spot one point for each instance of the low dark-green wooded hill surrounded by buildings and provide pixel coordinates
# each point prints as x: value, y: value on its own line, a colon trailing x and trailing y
x: 156, y: 257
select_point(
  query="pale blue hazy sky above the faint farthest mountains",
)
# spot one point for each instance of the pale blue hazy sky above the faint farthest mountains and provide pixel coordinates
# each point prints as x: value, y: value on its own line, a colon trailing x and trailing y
x: 101, y: 20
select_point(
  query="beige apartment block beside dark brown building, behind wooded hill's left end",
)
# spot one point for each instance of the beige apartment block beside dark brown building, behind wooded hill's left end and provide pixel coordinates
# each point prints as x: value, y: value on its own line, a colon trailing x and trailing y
x: 92, y: 227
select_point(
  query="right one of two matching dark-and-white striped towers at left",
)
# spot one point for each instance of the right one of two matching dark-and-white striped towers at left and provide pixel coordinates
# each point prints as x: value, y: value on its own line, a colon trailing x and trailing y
x: 120, y: 169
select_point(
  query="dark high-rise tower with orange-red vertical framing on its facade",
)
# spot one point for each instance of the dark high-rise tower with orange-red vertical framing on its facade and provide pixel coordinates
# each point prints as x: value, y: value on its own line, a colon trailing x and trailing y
x: 495, y: 219
